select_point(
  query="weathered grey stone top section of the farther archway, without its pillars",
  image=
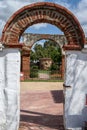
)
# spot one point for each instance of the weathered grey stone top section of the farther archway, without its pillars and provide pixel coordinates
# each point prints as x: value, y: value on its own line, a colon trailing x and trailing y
x: 29, y: 39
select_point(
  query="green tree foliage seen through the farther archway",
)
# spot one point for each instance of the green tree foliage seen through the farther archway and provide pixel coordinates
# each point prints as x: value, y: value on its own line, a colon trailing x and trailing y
x: 49, y: 49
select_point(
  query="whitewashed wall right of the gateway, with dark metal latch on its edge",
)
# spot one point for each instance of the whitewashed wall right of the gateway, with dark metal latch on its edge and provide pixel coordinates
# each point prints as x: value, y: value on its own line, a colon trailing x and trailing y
x: 75, y: 95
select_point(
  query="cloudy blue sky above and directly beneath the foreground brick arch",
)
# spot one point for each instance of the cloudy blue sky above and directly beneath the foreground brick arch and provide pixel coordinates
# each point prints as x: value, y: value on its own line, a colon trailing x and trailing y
x: 77, y: 7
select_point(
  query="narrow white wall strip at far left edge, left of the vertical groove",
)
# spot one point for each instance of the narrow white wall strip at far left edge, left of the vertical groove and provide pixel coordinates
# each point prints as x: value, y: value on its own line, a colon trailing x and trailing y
x: 2, y: 94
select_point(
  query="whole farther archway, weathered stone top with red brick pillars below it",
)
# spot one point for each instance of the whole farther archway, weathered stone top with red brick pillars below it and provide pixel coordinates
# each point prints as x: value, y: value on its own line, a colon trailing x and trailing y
x: 30, y: 39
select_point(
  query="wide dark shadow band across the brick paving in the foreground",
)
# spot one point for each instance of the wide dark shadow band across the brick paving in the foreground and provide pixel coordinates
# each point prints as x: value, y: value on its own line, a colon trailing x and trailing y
x: 47, y: 120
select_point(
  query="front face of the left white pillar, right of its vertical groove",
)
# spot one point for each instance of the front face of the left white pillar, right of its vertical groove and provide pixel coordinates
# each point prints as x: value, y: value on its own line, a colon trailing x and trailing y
x: 12, y: 89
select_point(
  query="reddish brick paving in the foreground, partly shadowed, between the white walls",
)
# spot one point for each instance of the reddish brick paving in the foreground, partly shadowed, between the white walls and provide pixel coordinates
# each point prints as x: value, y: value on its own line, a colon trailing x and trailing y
x: 42, y: 110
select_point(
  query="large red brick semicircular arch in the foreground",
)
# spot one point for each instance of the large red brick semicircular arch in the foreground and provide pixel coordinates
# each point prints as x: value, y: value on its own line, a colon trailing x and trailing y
x: 44, y: 12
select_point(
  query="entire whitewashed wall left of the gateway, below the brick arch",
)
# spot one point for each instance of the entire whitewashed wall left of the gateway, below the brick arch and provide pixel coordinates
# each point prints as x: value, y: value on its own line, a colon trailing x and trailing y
x: 9, y: 89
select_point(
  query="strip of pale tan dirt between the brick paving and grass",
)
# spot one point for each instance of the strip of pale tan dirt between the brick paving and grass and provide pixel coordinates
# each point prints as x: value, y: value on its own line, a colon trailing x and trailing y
x: 41, y: 86
